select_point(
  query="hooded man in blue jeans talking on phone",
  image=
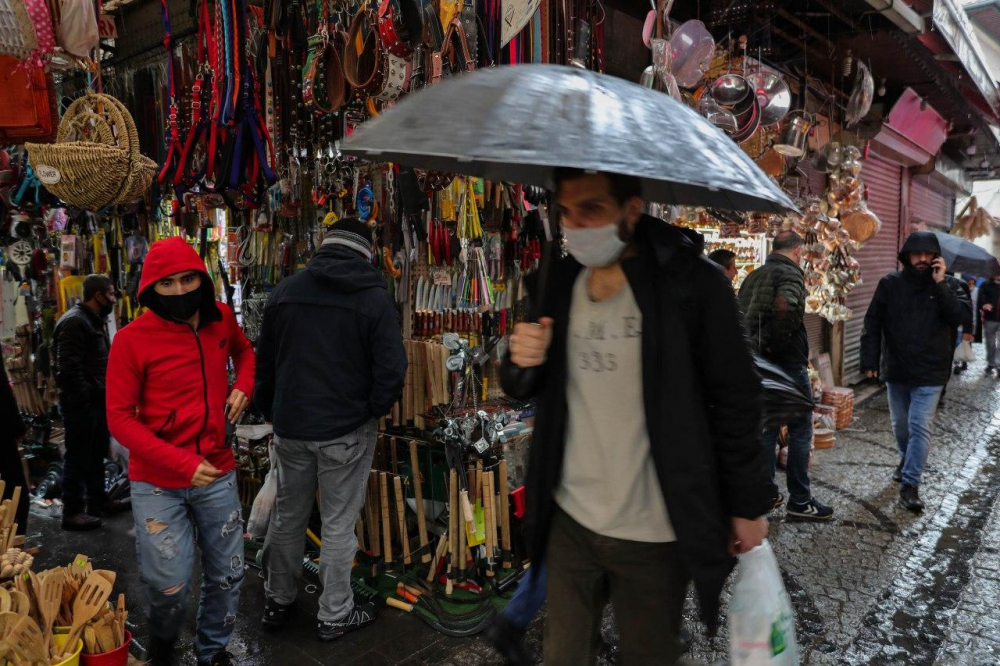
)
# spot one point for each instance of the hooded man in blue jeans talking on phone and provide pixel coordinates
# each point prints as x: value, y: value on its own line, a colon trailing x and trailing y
x: 912, y: 317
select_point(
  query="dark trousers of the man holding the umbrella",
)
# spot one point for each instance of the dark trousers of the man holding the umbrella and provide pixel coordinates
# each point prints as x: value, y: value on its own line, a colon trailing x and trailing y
x: 645, y: 582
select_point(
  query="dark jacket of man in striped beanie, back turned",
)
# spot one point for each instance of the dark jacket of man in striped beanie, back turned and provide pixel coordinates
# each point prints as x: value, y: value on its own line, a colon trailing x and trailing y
x: 330, y: 354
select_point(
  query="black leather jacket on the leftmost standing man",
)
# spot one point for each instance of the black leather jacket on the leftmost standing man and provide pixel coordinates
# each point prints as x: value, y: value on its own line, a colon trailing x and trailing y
x: 81, y: 345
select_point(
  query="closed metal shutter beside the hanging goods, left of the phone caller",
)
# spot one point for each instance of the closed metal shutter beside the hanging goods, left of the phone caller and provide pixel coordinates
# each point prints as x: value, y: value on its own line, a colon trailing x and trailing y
x: 877, y: 257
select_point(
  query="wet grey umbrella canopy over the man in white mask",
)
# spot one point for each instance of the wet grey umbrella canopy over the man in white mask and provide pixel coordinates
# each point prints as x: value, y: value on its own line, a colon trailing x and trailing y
x: 518, y: 123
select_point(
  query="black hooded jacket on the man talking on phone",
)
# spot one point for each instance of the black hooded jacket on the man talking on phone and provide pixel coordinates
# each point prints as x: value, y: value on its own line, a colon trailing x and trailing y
x: 911, y: 321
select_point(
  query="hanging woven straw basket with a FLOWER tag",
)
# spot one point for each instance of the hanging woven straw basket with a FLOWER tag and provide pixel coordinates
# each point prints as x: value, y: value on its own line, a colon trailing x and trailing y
x: 95, y: 161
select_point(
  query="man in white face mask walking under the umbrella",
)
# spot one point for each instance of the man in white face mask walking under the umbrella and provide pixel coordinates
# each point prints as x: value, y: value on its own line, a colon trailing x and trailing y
x: 647, y: 468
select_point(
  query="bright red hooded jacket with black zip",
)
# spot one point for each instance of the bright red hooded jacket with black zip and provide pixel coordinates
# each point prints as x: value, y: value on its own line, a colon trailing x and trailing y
x: 167, y: 384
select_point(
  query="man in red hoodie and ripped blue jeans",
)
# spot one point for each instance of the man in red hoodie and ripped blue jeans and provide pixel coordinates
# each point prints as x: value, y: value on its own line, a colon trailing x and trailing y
x: 167, y: 387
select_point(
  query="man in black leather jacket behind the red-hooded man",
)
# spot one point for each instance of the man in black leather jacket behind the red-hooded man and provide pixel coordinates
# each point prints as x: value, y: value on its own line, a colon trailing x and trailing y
x: 81, y: 346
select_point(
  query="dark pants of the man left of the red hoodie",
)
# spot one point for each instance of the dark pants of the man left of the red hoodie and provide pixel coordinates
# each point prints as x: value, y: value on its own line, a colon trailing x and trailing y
x: 87, y: 444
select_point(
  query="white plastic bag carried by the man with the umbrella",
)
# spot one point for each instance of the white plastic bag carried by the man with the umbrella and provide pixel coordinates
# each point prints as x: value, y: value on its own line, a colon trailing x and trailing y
x: 761, y: 620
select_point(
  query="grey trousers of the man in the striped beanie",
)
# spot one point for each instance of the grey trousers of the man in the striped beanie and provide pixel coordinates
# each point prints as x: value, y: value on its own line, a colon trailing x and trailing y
x: 339, y: 470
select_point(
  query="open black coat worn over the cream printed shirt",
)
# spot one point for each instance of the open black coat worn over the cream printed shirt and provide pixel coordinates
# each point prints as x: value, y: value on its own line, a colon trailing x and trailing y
x: 702, y: 401
